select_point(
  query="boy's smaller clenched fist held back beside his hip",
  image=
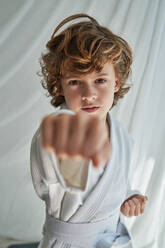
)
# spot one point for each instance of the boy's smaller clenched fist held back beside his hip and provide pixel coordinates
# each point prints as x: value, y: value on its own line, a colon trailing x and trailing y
x: 134, y: 205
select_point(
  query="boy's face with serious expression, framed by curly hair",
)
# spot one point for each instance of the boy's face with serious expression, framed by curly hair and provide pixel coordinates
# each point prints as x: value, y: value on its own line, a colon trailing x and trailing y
x: 93, y: 89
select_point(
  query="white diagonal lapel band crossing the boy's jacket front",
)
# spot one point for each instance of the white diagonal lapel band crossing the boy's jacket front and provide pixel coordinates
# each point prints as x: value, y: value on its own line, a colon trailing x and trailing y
x: 96, y: 198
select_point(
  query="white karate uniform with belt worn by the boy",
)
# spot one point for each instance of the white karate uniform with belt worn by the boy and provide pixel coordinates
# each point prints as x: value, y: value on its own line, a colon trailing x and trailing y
x: 90, y: 217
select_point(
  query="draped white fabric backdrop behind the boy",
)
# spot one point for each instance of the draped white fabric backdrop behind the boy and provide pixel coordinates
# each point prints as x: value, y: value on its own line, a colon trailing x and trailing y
x: 25, y: 27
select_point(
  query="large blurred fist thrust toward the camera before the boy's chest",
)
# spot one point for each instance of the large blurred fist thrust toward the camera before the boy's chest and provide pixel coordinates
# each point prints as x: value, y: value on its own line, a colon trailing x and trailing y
x: 76, y: 136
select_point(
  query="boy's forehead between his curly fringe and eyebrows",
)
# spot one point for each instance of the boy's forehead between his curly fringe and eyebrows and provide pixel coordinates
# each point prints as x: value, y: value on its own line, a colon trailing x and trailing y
x: 107, y: 70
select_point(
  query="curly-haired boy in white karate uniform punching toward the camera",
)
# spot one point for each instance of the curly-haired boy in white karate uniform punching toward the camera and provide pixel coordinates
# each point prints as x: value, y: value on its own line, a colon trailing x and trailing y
x: 85, y: 70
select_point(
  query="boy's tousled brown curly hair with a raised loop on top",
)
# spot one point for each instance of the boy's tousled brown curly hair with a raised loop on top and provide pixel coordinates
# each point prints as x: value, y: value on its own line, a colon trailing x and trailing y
x: 81, y: 48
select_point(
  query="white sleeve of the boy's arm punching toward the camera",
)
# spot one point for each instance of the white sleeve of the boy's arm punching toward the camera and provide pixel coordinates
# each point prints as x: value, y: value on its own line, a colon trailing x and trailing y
x: 46, y: 171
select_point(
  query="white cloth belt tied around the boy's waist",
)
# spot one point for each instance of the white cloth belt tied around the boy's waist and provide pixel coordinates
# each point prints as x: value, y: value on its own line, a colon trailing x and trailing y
x: 83, y: 234
